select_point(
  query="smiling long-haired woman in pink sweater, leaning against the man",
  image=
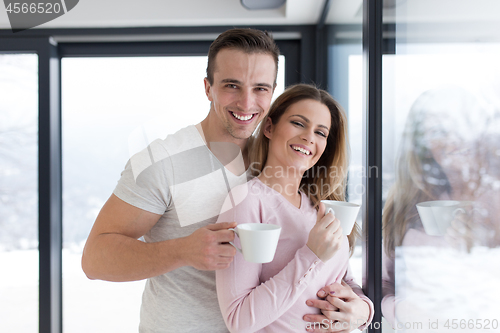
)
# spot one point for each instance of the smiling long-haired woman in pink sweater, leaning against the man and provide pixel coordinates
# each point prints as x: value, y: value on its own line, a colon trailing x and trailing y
x: 299, y: 157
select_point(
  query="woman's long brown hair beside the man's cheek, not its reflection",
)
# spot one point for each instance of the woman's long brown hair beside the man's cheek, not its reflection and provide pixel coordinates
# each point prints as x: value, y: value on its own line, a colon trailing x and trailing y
x: 327, y: 179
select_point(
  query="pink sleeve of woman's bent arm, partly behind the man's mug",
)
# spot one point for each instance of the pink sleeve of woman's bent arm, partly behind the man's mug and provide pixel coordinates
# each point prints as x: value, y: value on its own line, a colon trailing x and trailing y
x: 247, y: 305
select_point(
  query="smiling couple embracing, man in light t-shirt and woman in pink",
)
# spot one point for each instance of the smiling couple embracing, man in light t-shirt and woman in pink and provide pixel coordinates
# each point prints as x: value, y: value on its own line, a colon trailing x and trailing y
x: 172, y: 192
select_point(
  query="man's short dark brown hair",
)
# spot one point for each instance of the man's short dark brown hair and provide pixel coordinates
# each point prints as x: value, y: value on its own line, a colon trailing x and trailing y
x: 246, y: 40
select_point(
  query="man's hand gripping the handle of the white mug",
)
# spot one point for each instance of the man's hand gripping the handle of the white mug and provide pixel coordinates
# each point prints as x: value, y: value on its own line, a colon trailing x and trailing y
x: 207, y: 248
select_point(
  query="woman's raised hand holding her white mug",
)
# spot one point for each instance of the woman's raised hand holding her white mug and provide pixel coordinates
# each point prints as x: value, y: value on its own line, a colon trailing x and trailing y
x: 325, y: 238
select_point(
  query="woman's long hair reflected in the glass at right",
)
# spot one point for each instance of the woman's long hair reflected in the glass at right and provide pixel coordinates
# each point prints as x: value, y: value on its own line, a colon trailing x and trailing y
x: 418, y: 176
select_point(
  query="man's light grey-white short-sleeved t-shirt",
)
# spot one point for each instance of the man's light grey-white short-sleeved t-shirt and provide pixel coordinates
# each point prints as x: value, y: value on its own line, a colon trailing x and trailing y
x: 180, y: 178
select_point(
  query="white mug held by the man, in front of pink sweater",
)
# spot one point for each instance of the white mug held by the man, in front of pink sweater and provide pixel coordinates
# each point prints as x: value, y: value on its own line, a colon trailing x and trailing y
x: 258, y: 241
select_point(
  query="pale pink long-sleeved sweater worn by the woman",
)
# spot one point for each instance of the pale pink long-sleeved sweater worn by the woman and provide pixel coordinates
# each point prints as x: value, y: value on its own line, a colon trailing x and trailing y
x: 272, y: 297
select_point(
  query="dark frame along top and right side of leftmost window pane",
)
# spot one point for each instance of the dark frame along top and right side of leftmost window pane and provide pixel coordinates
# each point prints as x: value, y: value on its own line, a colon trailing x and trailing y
x: 49, y: 176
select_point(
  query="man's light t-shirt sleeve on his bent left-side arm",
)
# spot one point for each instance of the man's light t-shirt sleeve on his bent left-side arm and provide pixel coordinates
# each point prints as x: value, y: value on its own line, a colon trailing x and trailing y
x: 143, y: 183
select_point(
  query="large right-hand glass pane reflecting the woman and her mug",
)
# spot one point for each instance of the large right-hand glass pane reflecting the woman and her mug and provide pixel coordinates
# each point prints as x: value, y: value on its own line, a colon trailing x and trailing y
x: 441, y: 146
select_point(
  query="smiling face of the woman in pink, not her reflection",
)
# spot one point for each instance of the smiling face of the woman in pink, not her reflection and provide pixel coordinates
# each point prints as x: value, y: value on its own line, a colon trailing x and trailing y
x: 299, y: 138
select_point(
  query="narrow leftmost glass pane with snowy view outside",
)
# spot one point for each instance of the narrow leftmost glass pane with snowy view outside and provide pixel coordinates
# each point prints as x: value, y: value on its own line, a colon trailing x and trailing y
x: 19, y: 192
